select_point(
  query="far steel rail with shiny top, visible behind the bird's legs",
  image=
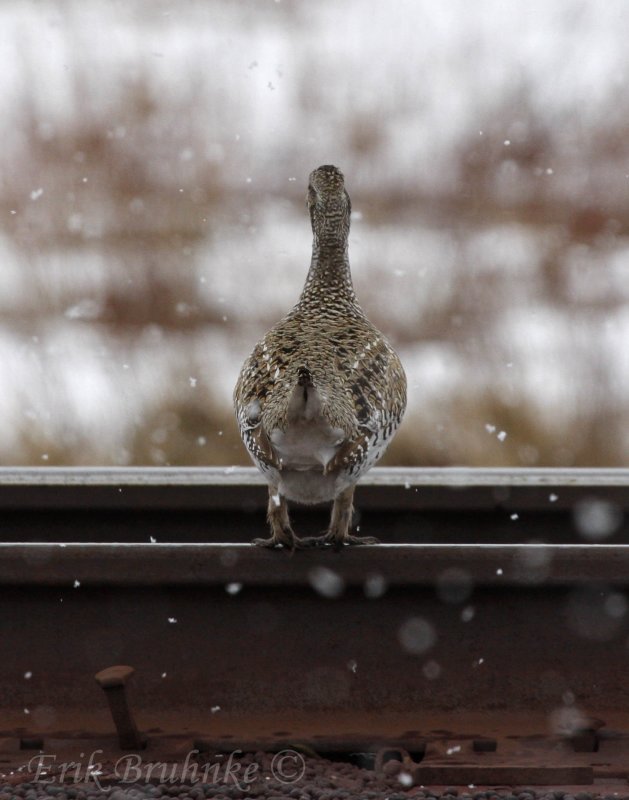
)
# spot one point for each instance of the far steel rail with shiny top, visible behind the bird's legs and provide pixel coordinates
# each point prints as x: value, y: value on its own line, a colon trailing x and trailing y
x: 398, y: 505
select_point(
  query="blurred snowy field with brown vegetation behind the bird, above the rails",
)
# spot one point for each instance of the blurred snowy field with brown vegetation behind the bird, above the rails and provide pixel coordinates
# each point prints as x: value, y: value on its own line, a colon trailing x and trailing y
x: 153, y: 175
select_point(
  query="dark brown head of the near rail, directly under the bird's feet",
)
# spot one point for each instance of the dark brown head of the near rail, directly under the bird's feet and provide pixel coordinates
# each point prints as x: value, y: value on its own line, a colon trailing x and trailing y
x: 124, y: 564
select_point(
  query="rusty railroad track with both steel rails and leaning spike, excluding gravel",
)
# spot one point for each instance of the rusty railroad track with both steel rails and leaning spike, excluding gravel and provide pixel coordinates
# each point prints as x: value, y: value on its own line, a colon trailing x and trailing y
x: 484, y: 642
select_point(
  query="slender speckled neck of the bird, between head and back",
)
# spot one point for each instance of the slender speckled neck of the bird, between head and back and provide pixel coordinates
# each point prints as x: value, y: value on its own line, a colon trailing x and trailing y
x: 329, y: 270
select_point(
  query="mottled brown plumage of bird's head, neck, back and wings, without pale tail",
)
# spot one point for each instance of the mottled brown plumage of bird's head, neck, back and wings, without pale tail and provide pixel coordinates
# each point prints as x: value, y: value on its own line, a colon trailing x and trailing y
x: 357, y: 374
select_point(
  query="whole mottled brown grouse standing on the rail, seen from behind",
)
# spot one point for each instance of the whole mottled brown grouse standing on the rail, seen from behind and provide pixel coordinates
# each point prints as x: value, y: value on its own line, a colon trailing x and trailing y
x: 323, y: 392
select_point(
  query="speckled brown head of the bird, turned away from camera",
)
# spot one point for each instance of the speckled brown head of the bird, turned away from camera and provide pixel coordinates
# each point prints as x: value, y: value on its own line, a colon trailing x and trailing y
x: 329, y: 204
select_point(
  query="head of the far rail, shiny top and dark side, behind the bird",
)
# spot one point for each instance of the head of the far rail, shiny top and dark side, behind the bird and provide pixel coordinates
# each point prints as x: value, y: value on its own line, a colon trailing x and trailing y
x: 237, y: 487
